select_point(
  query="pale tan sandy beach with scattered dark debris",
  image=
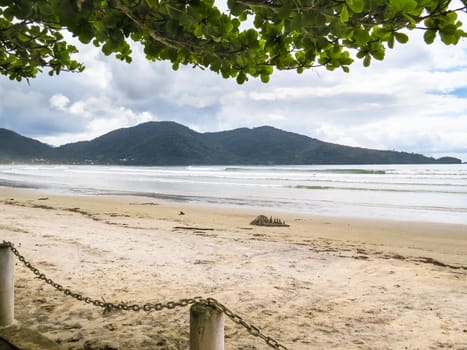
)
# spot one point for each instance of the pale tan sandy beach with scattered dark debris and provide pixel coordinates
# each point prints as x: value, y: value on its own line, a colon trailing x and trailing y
x: 322, y: 283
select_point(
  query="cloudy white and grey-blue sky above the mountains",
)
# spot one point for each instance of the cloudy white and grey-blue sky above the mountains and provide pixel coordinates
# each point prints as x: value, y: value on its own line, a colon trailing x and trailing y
x: 415, y: 100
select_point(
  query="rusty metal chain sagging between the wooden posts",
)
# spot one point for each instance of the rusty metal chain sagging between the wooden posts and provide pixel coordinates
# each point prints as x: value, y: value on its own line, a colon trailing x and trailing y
x: 148, y: 307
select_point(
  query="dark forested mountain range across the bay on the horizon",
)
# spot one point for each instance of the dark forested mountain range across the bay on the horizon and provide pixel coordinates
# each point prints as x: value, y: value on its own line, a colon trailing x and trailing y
x: 169, y: 143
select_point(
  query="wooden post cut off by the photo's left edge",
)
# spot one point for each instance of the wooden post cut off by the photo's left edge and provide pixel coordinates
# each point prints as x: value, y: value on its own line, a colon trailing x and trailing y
x: 7, y: 288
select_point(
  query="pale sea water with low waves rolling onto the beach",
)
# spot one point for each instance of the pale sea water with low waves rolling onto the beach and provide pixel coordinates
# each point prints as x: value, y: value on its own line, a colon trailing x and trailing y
x: 429, y: 193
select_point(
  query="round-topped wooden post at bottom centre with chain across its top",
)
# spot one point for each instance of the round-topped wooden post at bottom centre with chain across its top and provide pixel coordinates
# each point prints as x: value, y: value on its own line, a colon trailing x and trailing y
x: 206, y: 328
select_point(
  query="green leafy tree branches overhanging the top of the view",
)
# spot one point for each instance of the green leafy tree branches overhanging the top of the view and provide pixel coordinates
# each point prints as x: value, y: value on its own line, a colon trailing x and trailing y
x: 251, y: 38
